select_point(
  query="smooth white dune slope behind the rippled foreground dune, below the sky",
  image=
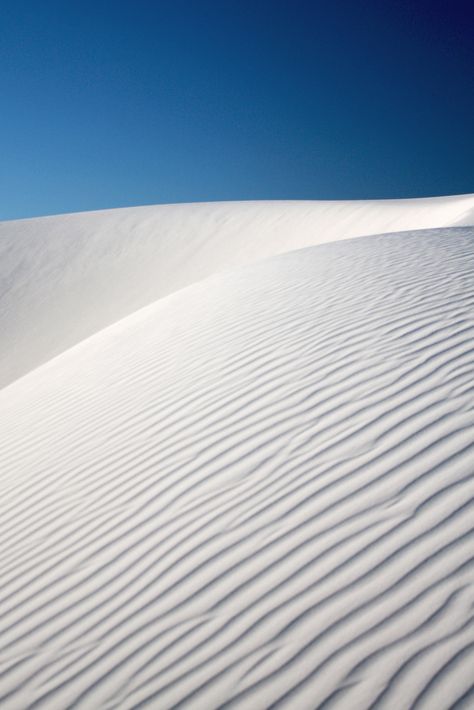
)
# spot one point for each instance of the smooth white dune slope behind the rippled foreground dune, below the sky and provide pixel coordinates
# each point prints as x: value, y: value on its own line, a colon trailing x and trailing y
x: 64, y: 278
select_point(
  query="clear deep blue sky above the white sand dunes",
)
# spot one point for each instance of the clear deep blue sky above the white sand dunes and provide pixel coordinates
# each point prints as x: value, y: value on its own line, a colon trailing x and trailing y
x: 111, y: 103
